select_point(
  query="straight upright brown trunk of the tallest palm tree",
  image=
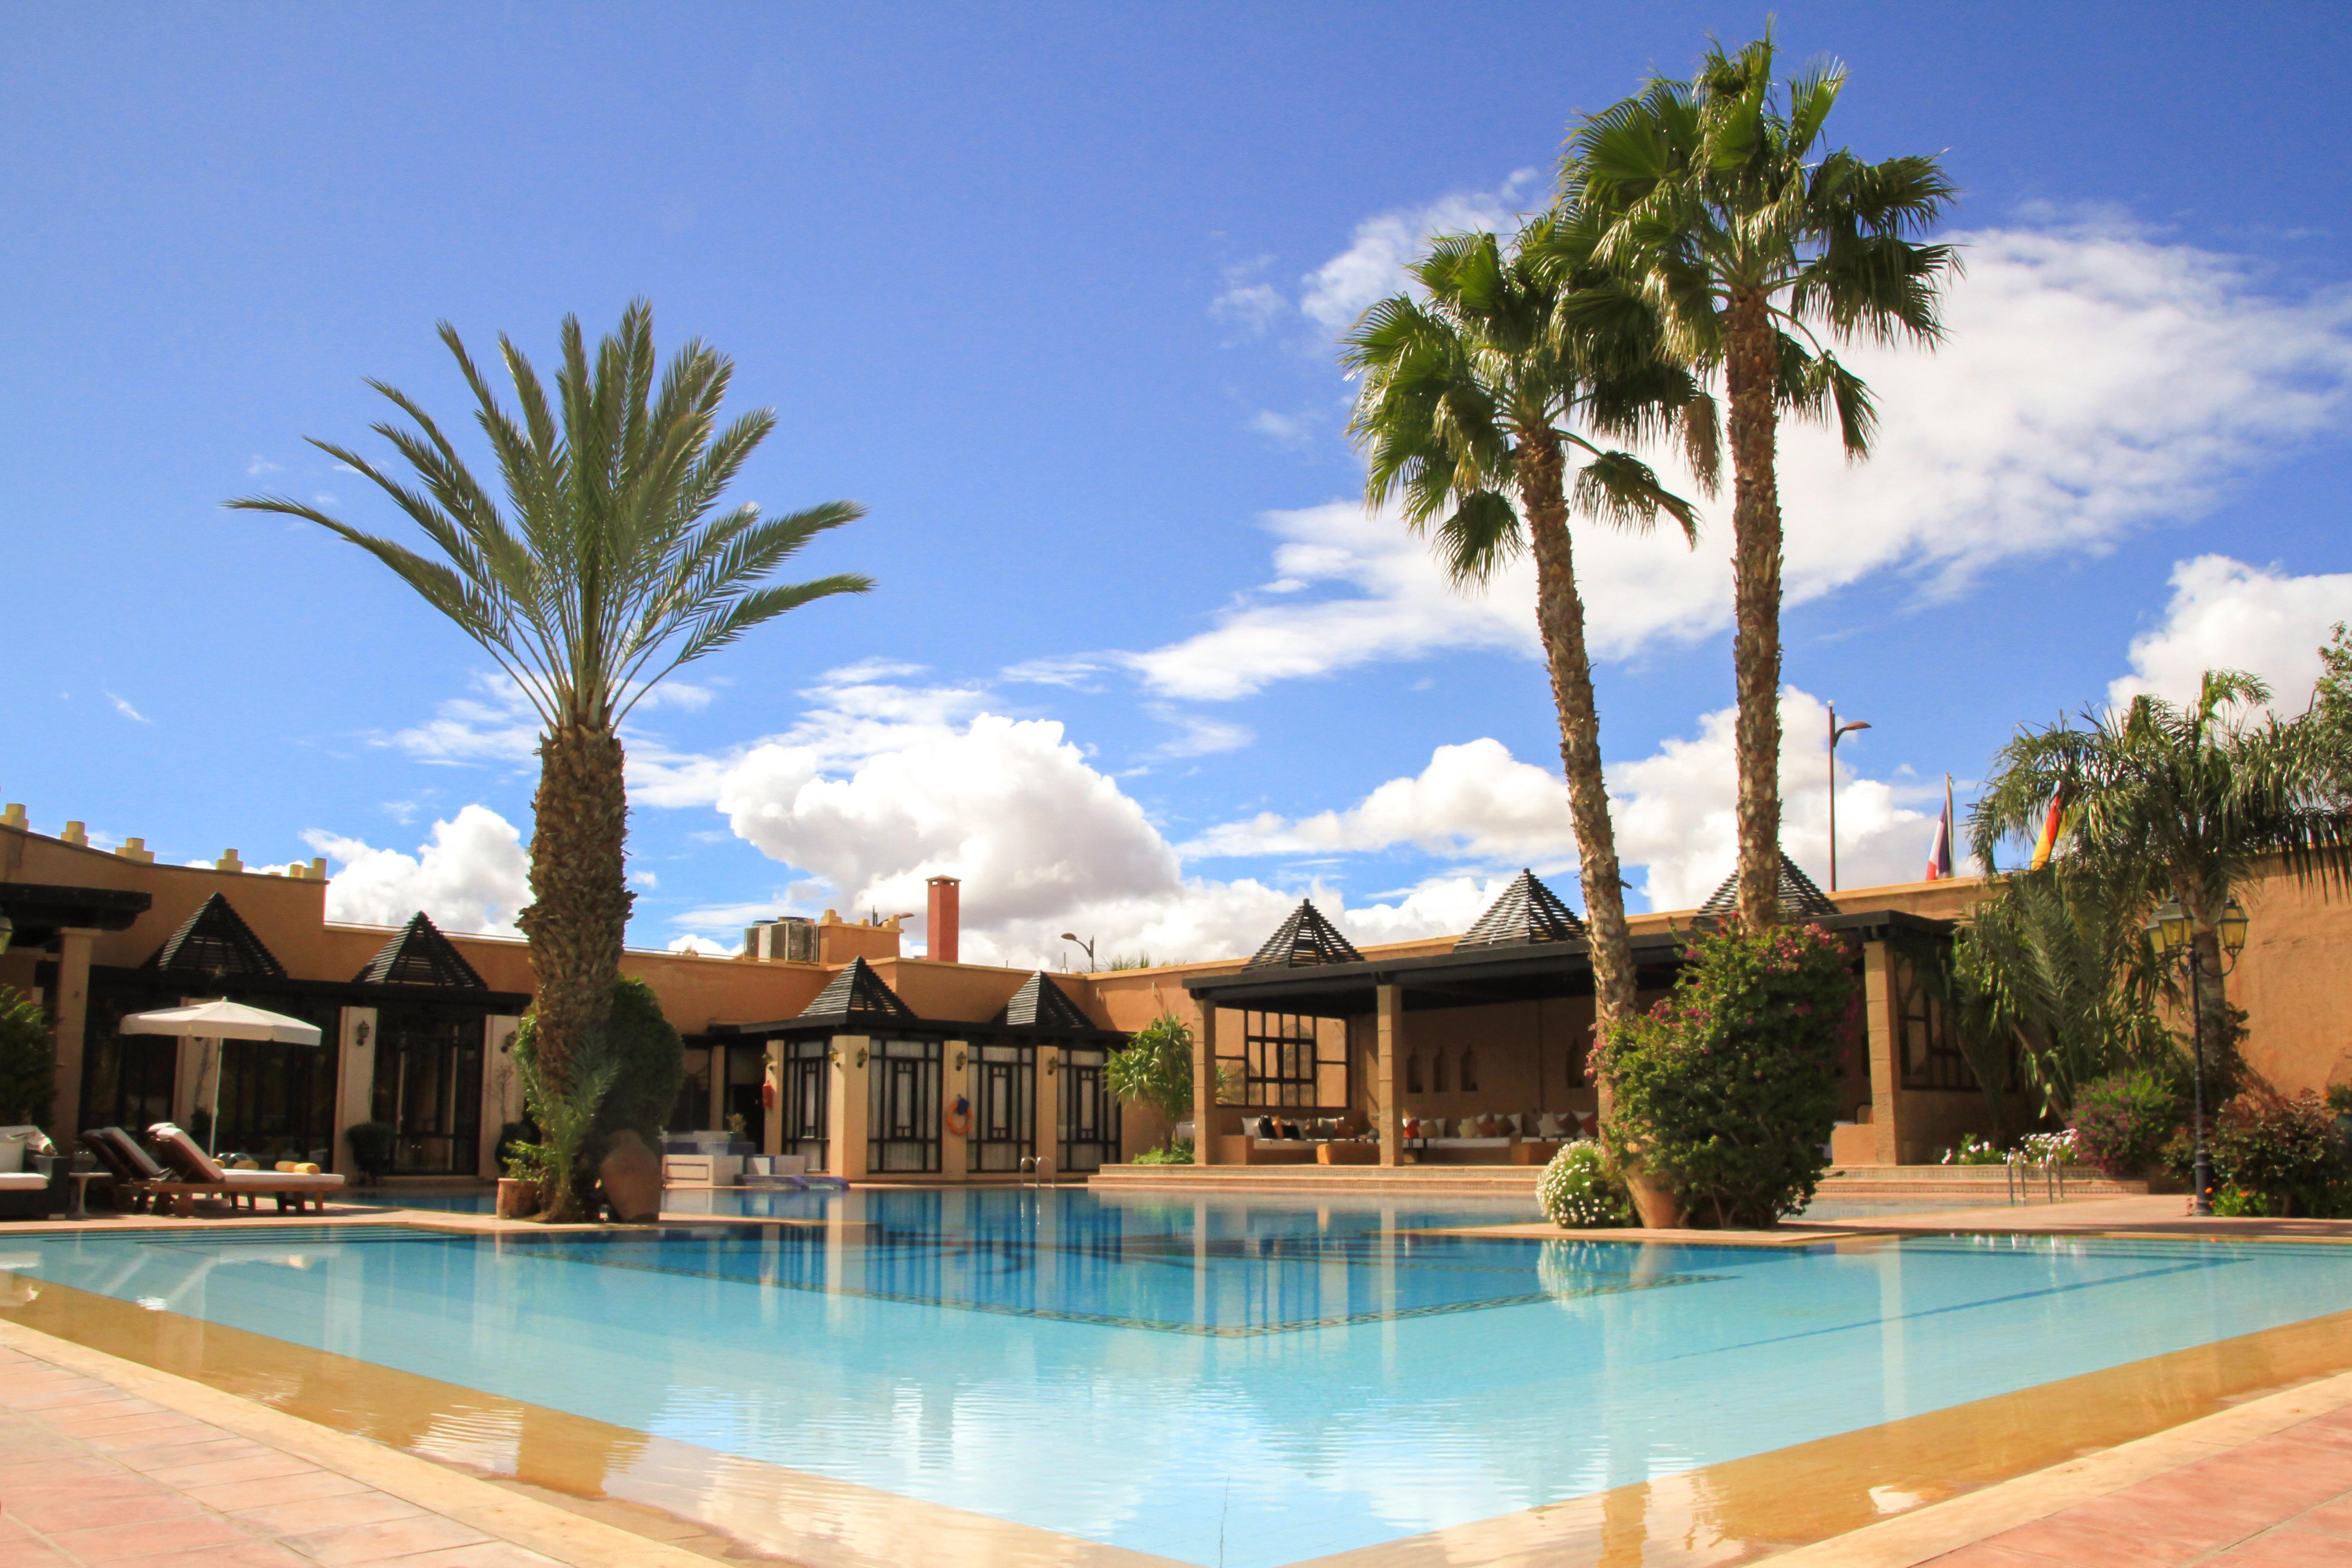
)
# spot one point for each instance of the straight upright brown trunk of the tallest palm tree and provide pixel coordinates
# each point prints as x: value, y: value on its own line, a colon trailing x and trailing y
x: 1751, y: 373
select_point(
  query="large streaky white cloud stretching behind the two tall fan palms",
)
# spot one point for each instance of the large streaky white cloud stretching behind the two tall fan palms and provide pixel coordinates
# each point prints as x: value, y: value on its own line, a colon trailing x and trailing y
x: 2097, y: 382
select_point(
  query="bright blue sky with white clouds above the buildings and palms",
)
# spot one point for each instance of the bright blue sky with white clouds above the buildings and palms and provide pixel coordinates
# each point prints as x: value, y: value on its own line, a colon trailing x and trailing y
x: 1053, y: 295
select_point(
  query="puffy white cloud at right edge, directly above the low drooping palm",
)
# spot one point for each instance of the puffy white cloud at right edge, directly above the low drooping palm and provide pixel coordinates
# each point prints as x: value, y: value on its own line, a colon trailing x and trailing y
x: 2233, y: 617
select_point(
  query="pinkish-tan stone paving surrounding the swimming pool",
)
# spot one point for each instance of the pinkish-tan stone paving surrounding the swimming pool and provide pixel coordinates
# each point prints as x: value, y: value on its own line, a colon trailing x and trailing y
x: 109, y: 1461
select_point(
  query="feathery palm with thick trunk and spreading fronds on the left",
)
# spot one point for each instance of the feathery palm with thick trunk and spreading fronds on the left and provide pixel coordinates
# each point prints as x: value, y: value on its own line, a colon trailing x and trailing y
x: 610, y: 570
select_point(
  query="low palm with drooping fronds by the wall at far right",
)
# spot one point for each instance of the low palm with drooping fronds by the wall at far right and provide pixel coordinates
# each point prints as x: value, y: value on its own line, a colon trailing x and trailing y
x: 2179, y: 803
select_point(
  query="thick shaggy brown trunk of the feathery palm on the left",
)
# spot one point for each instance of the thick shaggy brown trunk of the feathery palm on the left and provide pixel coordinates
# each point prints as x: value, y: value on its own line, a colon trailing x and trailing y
x: 580, y: 899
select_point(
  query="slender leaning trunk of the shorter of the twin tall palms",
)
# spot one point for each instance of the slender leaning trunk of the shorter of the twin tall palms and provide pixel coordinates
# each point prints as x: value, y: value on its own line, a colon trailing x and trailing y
x: 1561, y: 615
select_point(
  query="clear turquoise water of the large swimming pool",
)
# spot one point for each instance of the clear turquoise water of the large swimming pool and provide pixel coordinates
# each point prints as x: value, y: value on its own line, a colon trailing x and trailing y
x: 1259, y: 1381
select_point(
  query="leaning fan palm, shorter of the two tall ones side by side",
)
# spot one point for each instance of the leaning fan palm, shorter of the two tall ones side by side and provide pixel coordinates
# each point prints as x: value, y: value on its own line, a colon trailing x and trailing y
x: 1469, y: 415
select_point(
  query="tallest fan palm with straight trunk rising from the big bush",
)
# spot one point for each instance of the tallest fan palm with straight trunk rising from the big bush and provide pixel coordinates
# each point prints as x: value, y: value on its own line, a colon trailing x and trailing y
x: 1720, y: 208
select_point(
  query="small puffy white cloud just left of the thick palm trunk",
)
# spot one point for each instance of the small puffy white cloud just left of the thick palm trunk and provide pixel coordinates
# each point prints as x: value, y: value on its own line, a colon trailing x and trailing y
x: 469, y: 878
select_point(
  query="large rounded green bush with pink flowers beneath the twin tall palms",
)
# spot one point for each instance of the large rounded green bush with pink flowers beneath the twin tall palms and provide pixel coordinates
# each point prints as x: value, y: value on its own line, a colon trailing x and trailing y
x: 1728, y: 1090
